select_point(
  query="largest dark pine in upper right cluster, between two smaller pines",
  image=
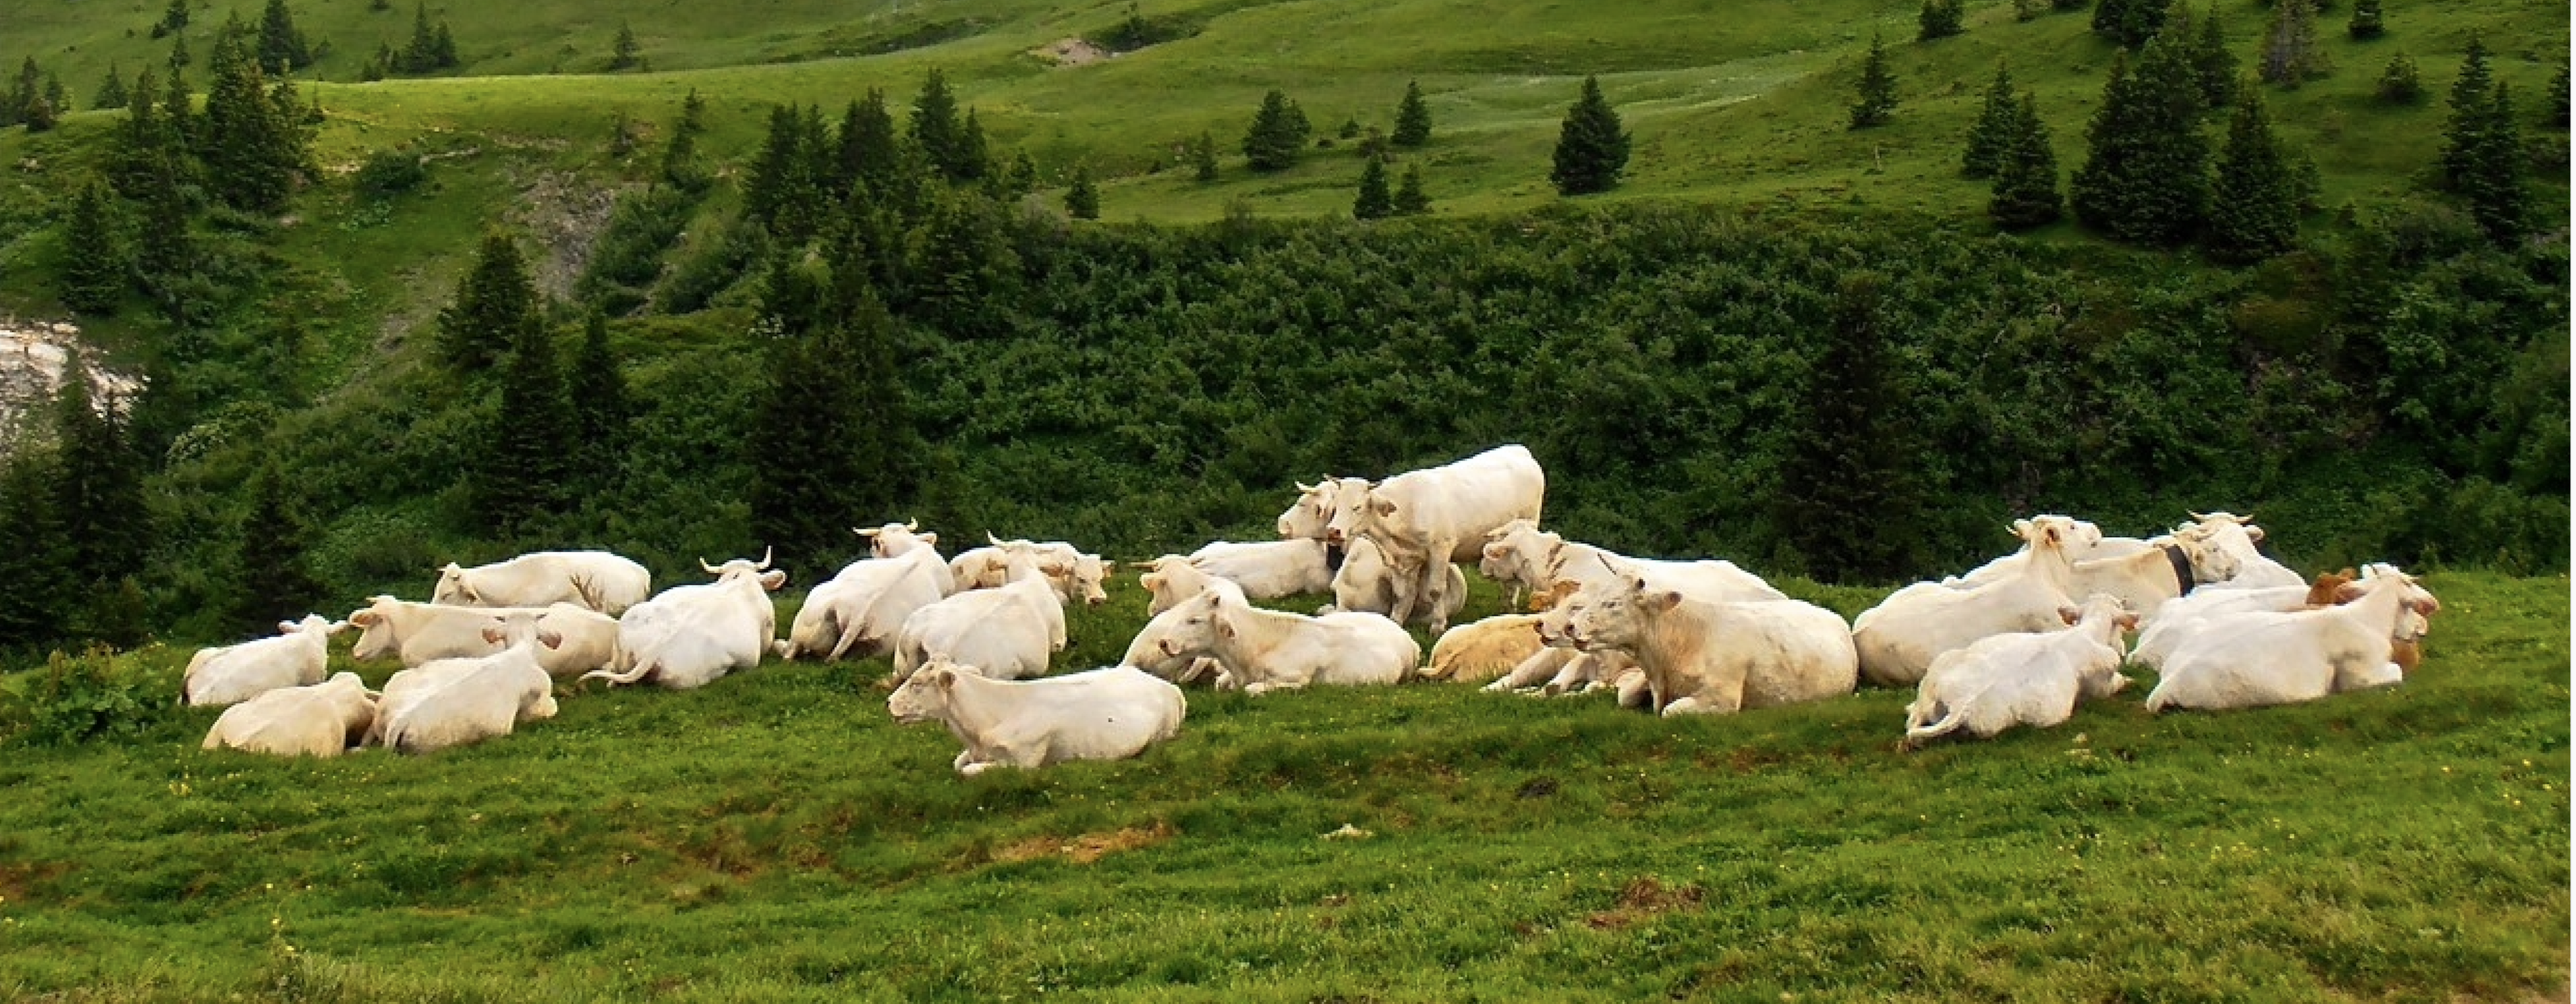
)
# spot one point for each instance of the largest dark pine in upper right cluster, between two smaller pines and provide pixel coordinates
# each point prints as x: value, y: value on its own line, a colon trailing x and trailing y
x: 2147, y: 169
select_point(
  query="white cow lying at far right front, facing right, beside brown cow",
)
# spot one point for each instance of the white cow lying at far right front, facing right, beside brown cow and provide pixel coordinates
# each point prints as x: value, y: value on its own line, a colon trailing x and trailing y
x: 2253, y: 660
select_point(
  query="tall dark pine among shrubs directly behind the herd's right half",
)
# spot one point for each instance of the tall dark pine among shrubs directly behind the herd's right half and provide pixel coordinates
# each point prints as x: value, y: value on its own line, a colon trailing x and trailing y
x: 1851, y: 452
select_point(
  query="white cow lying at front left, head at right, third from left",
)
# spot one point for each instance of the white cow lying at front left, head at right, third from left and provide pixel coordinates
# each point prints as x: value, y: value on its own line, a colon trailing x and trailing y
x: 465, y: 702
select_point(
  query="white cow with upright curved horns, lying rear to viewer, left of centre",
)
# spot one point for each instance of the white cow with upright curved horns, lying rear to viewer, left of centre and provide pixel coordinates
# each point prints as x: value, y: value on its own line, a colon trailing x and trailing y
x: 694, y: 635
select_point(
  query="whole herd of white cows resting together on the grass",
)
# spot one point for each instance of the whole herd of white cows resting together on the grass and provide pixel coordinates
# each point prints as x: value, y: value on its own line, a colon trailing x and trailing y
x: 2016, y: 642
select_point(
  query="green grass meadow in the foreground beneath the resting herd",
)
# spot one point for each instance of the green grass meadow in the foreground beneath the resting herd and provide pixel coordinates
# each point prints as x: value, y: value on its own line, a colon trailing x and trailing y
x: 774, y: 838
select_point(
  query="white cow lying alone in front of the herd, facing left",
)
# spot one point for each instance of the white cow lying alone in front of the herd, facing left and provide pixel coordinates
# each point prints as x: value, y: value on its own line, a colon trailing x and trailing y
x: 1104, y: 714
